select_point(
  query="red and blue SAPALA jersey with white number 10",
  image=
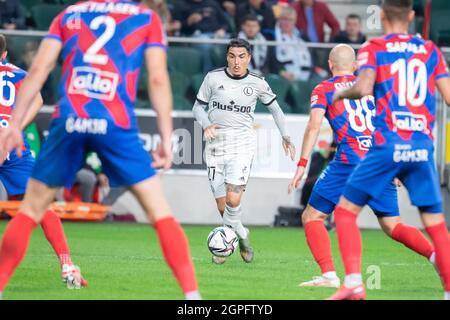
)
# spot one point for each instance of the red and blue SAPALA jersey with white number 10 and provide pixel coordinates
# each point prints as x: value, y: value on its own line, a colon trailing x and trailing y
x: 407, y: 68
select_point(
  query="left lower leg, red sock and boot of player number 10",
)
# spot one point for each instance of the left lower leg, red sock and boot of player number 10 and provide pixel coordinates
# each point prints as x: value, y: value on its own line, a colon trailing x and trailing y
x: 350, y: 246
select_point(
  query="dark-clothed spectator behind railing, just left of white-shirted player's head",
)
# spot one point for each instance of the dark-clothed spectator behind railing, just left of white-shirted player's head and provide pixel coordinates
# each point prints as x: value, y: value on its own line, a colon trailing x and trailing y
x: 202, y: 19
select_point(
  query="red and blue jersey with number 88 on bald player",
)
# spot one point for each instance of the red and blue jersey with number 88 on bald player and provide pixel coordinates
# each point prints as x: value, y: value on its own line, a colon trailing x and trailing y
x: 350, y: 120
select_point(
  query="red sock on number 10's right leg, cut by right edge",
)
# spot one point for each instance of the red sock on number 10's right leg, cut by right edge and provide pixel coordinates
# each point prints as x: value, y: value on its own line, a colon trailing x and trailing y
x: 441, y: 240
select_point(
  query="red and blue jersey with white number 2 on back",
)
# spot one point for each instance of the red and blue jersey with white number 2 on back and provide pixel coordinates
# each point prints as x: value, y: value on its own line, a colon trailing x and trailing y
x: 103, y: 49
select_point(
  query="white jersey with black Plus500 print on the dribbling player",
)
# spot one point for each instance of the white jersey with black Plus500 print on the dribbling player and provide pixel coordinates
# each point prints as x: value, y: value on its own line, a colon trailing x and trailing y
x: 231, y: 104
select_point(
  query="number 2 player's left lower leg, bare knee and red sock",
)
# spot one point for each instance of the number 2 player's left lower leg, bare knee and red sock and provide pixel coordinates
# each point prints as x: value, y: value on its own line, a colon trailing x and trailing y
x: 17, y: 234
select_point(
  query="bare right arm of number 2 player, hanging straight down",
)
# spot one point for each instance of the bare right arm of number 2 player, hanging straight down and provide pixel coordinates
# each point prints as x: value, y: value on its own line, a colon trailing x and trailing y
x: 160, y: 94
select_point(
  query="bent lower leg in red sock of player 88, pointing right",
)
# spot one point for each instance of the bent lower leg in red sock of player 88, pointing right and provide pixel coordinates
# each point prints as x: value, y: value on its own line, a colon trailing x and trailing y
x: 409, y: 236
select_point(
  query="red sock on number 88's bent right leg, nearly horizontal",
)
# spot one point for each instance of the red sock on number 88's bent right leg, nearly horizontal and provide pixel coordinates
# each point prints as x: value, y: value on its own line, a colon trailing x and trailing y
x: 413, y: 239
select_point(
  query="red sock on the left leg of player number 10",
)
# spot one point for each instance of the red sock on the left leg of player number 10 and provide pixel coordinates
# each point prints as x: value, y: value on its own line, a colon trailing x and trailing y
x: 349, y: 239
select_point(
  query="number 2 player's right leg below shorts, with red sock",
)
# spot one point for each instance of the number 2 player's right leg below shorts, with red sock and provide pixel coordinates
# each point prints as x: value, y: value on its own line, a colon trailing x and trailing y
x: 172, y: 238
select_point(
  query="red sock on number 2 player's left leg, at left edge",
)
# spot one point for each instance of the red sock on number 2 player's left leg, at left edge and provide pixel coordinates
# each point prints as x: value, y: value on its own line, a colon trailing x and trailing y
x: 14, y: 245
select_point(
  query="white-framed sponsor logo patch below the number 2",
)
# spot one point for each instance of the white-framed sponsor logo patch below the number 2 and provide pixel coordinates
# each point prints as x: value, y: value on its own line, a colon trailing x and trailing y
x: 93, y: 83
